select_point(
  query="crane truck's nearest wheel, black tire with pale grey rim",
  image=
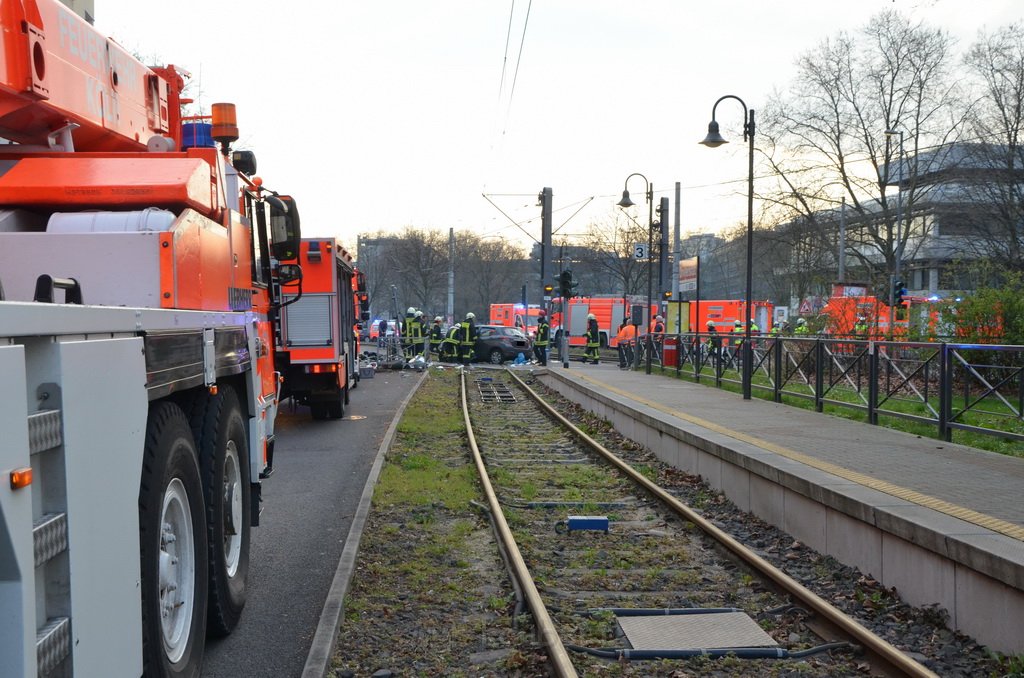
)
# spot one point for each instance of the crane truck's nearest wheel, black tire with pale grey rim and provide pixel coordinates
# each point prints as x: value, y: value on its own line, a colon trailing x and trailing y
x: 173, y: 547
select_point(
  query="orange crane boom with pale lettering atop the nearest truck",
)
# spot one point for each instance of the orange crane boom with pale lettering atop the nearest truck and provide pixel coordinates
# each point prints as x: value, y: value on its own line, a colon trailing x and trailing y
x: 57, y: 70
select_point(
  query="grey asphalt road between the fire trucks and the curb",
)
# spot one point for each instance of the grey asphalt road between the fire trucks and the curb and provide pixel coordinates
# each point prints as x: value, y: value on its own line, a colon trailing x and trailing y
x: 320, y: 472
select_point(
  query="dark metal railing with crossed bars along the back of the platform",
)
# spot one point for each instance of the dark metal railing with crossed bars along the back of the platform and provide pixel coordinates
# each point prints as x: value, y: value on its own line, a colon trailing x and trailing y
x: 949, y: 387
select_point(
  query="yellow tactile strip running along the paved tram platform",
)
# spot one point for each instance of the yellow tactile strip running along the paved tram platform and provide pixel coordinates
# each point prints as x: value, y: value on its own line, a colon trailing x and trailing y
x: 974, y: 518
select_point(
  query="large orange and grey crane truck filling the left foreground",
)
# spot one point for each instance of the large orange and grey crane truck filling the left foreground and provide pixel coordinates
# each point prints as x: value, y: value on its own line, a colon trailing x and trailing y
x: 141, y: 271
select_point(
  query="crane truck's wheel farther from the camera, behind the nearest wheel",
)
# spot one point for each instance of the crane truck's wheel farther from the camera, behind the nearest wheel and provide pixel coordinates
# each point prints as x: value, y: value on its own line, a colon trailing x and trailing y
x: 221, y: 434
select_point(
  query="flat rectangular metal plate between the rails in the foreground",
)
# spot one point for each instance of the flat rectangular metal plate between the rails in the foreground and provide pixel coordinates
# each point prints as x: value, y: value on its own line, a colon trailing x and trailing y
x: 695, y: 631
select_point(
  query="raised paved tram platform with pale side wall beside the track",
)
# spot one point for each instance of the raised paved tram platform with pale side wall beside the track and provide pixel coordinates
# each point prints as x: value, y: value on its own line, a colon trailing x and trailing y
x: 942, y: 523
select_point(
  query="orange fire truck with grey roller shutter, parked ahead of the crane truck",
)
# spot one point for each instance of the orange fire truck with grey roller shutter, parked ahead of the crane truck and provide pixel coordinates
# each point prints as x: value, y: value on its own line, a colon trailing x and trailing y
x: 318, y: 343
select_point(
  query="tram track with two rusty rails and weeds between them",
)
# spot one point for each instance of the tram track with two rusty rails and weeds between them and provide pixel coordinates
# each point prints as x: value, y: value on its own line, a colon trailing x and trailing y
x: 614, y: 567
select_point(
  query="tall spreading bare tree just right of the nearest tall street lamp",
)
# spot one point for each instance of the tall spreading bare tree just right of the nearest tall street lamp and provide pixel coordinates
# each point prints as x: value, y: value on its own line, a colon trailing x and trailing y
x: 827, y: 140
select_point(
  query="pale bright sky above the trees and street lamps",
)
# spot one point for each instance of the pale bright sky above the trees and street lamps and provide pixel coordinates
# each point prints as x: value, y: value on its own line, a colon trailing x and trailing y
x: 381, y: 115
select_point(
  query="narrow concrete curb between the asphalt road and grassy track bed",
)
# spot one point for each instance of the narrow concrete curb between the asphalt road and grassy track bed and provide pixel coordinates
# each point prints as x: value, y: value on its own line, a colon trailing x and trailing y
x: 327, y: 630
